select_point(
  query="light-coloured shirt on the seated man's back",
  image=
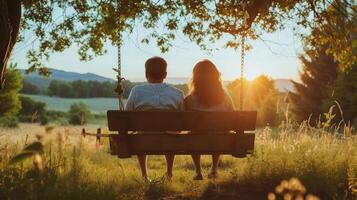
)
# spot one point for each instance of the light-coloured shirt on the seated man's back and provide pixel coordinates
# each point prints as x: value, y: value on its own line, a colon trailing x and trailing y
x: 151, y: 96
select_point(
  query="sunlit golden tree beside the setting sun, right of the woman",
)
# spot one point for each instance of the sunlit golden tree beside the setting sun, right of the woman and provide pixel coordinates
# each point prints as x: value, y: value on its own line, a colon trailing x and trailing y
x: 259, y: 94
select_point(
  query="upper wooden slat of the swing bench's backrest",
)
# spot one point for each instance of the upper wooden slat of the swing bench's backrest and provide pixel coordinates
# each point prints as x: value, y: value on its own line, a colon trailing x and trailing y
x: 180, y: 121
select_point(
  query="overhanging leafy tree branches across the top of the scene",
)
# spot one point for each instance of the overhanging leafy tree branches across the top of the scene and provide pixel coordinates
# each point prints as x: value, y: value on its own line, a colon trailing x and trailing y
x: 91, y: 23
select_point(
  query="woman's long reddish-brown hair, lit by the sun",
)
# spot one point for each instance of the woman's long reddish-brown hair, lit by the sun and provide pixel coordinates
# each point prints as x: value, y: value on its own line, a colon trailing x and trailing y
x: 206, y: 84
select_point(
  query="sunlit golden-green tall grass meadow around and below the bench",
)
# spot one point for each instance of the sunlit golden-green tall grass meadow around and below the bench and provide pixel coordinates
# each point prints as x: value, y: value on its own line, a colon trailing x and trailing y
x: 72, y: 167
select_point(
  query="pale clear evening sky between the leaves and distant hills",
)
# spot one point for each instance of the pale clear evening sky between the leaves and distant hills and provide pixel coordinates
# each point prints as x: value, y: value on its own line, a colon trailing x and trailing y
x: 276, y: 55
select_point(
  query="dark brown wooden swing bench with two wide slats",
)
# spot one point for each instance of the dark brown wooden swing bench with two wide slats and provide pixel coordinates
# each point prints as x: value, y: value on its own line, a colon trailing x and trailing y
x: 181, y: 133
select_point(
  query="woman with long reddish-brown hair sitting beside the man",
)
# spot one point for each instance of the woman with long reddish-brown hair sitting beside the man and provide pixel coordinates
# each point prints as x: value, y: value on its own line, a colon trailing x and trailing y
x: 207, y: 94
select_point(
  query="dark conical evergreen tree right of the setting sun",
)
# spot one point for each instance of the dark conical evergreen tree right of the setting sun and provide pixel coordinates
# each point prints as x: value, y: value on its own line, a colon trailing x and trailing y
x: 318, y: 77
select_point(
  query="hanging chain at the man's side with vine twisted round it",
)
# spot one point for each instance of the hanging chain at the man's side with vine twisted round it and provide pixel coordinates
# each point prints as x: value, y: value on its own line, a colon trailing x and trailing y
x: 119, y: 89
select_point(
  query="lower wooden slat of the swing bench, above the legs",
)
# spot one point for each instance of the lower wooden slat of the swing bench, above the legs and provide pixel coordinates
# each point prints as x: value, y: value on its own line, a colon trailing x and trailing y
x: 160, y: 144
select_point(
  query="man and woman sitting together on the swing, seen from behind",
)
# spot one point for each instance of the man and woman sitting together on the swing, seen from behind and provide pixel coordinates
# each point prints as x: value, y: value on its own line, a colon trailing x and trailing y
x: 206, y: 94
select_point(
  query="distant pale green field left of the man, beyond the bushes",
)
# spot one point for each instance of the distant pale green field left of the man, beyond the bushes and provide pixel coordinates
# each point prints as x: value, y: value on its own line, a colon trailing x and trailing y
x: 97, y: 105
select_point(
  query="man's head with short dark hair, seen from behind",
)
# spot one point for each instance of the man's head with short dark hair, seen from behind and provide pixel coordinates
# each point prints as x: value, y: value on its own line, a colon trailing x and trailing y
x: 155, y: 70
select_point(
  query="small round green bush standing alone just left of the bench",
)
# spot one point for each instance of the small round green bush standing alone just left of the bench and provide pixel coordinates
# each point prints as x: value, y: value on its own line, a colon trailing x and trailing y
x: 79, y: 113
